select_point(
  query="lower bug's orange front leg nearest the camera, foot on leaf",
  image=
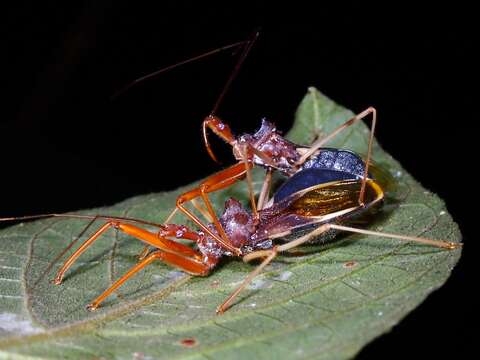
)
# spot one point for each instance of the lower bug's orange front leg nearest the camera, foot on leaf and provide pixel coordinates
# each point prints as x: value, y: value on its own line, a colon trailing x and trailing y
x: 186, y: 264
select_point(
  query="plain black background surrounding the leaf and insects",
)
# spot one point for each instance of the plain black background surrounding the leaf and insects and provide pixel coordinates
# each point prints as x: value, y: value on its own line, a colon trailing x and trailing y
x: 65, y: 145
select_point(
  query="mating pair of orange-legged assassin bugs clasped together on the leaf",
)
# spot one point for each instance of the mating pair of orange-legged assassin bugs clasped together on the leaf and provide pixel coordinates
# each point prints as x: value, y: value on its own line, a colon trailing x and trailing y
x: 324, y: 191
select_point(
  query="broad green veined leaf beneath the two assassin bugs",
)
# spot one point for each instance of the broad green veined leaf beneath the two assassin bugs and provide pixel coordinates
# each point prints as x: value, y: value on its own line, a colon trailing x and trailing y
x: 320, y: 302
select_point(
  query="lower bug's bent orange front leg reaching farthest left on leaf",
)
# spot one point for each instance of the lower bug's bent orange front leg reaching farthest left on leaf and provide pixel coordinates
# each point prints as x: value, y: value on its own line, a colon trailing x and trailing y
x: 156, y: 240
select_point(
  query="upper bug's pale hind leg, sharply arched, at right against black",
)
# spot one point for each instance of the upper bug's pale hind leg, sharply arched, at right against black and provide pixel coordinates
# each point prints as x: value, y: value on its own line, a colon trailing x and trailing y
x: 319, y: 143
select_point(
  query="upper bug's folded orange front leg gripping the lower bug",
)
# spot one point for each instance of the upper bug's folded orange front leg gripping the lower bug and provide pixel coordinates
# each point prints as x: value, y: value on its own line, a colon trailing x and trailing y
x: 221, y: 180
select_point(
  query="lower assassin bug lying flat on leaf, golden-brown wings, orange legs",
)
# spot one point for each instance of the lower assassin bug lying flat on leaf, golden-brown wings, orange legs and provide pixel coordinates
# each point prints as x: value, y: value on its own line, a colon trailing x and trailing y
x: 315, y: 203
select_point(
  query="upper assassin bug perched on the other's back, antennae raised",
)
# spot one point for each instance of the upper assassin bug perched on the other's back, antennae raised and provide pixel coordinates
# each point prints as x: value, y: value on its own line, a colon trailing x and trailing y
x: 266, y: 148
